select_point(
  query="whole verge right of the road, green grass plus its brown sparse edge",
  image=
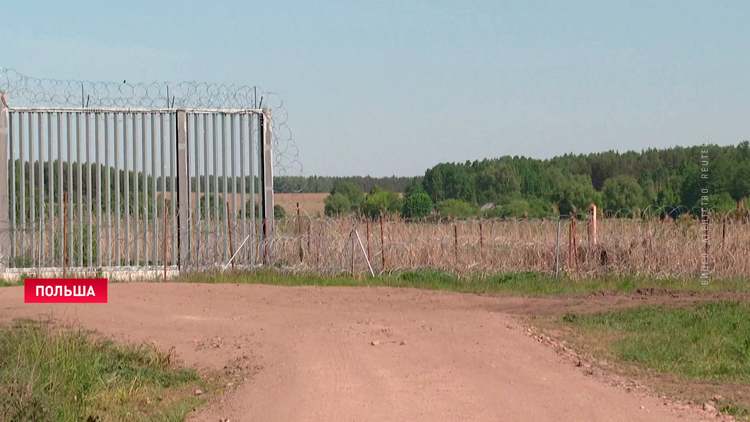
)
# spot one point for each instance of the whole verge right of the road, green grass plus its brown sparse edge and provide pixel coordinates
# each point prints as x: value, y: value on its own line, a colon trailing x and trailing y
x: 696, y: 351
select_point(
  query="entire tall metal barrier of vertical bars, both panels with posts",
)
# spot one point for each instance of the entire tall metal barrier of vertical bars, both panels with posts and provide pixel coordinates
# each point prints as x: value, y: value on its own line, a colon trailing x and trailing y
x: 86, y: 188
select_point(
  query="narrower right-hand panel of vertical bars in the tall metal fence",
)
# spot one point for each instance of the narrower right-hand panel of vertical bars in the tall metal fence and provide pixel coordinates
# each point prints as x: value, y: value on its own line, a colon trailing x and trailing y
x: 224, y: 180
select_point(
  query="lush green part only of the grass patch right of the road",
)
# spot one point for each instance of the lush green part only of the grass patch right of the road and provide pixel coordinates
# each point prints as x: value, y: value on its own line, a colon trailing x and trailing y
x: 707, y: 342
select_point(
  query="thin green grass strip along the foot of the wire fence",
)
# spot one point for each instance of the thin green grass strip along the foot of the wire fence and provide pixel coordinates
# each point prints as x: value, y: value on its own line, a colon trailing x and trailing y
x: 526, y: 283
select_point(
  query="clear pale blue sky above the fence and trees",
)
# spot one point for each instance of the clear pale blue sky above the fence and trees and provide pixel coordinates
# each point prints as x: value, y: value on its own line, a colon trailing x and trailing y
x: 395, y: 87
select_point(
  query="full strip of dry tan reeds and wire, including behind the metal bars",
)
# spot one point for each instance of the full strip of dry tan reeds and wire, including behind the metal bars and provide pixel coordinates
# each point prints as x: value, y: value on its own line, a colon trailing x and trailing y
x: 641, y: 245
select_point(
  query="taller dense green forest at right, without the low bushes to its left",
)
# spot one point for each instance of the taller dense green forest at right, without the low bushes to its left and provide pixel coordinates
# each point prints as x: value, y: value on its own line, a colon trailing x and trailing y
x: 614, y: 181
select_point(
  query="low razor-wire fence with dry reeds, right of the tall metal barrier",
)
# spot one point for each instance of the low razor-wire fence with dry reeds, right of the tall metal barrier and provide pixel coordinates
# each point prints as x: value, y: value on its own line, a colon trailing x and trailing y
x: 636, y: 246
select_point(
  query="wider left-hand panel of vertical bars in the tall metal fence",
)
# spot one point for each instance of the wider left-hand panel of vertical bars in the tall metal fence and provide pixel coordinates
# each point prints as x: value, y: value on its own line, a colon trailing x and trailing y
x: 56, y: 188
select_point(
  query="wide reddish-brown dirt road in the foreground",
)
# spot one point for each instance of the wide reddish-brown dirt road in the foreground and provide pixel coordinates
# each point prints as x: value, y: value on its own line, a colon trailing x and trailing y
x: 356, y: 354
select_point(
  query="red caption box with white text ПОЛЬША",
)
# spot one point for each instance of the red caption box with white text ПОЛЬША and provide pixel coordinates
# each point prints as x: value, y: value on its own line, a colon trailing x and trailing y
x: 65, y: 290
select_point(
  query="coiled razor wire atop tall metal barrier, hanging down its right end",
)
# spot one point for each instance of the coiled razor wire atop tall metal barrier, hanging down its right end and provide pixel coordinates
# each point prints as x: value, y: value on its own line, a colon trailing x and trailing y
x: 29, y: 91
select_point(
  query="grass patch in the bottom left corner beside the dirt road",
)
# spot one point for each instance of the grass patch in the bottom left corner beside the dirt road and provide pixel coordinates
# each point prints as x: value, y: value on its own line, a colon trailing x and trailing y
x: 52, y: 374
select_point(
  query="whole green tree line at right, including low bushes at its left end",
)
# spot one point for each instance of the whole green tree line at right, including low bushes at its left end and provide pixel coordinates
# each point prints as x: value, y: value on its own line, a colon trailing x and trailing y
x: 672, y: 181
